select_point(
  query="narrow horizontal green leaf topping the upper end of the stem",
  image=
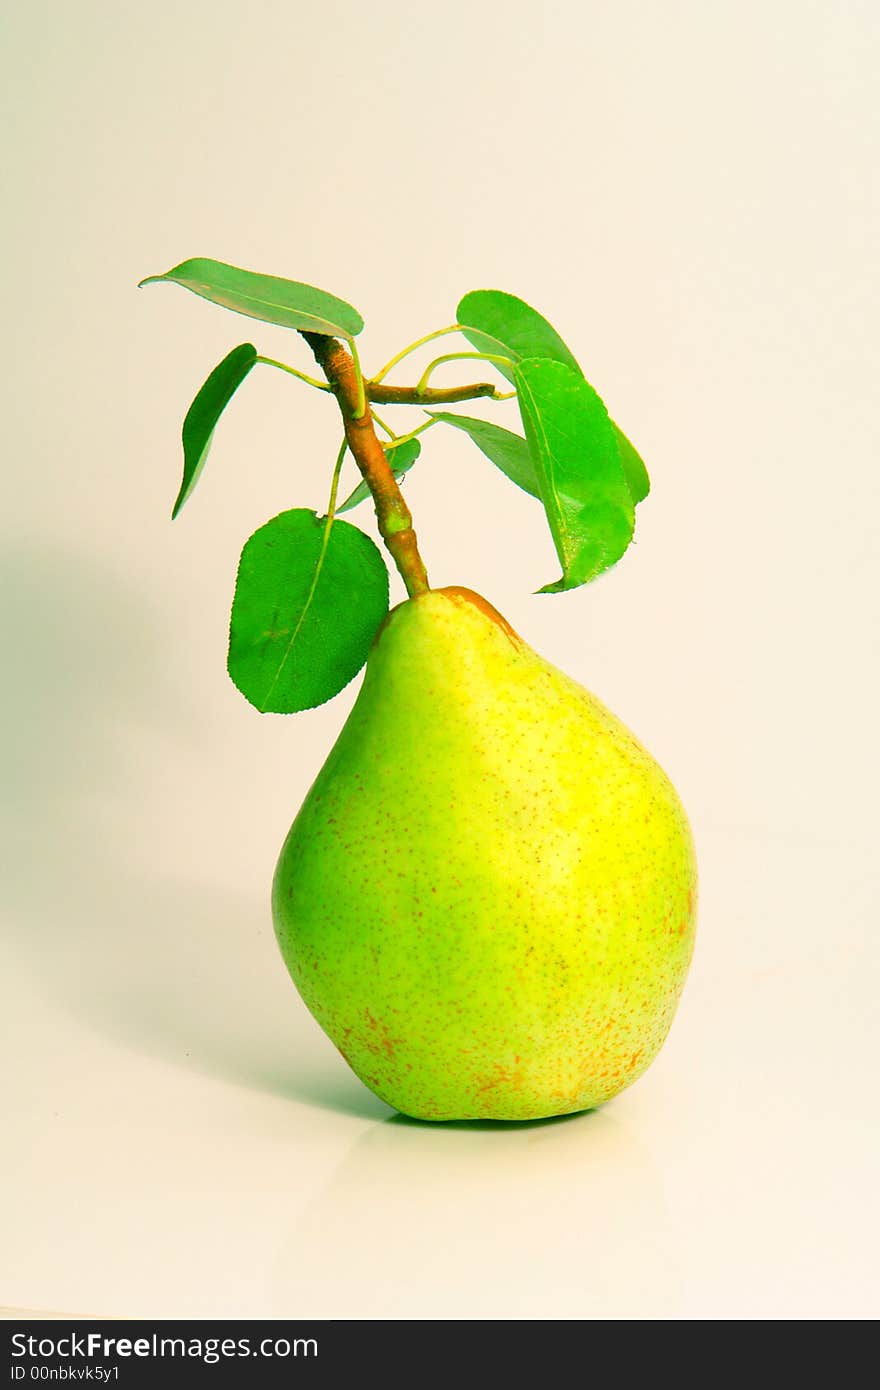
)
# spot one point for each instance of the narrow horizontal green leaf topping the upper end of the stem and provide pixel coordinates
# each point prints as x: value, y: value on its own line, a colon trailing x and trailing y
x: 275, y: 301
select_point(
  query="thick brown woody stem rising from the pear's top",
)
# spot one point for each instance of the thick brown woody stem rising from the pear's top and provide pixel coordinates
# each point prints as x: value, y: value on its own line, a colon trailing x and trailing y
x: 393, y: 514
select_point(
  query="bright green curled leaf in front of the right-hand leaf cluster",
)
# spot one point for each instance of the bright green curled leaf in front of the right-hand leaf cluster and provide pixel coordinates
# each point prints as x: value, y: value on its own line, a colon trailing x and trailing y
x: 575, y: 451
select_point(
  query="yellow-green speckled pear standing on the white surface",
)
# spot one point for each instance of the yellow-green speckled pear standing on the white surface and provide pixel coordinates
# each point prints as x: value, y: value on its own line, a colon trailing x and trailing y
x: 489, y: 897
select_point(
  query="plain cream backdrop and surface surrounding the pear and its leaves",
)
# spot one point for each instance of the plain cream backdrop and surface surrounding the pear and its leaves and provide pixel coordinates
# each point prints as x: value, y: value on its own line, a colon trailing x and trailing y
x: 689, y: 193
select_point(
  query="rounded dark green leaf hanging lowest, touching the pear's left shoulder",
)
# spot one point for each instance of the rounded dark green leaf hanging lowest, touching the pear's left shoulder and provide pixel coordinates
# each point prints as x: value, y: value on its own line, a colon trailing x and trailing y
x: 305, y: 614
